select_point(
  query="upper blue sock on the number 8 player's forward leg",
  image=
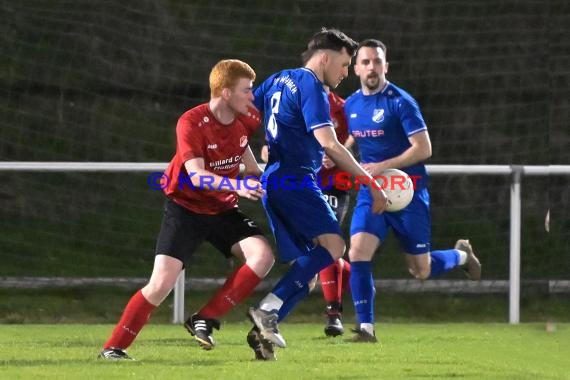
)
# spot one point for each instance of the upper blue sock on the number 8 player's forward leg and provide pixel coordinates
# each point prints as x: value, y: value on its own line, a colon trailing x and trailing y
x: 302, y: 270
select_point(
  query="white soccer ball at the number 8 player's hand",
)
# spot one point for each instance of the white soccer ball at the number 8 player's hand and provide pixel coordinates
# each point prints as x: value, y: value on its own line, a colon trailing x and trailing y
x: 398, y: 187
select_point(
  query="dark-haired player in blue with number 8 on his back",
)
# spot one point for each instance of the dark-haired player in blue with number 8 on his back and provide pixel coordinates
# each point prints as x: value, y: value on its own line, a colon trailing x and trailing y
x: 299, y: 131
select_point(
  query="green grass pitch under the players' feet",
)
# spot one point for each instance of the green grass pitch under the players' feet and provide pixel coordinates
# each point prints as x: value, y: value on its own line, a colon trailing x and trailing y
x: 406, y: 351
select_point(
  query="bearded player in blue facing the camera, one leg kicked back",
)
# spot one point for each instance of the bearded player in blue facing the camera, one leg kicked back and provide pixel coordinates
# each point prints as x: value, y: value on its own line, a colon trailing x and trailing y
x: 390, y: 132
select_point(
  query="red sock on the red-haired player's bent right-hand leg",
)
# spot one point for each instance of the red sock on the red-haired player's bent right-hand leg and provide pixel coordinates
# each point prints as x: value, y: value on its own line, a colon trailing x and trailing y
x: 237, y: 287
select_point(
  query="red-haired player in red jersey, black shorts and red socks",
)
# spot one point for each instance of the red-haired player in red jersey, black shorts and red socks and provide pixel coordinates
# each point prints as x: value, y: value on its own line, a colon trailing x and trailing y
x: 202, y: 190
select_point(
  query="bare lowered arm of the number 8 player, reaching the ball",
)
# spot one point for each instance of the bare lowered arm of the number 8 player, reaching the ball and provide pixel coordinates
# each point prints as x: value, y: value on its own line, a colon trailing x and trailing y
x: 344, y: 160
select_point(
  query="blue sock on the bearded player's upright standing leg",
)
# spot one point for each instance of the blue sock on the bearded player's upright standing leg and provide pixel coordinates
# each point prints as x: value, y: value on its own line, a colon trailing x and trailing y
x: 362, y: 287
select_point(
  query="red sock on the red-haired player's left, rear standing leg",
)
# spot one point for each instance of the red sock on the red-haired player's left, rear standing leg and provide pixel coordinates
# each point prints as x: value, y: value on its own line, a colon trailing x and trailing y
x: 136, y: 314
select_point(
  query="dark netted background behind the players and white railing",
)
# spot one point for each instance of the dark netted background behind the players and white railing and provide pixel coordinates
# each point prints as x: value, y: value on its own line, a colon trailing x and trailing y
x: 106, y: 81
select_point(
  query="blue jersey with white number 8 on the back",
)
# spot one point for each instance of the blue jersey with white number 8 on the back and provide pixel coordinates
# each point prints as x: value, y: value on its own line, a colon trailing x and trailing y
x: 294, y: 103
